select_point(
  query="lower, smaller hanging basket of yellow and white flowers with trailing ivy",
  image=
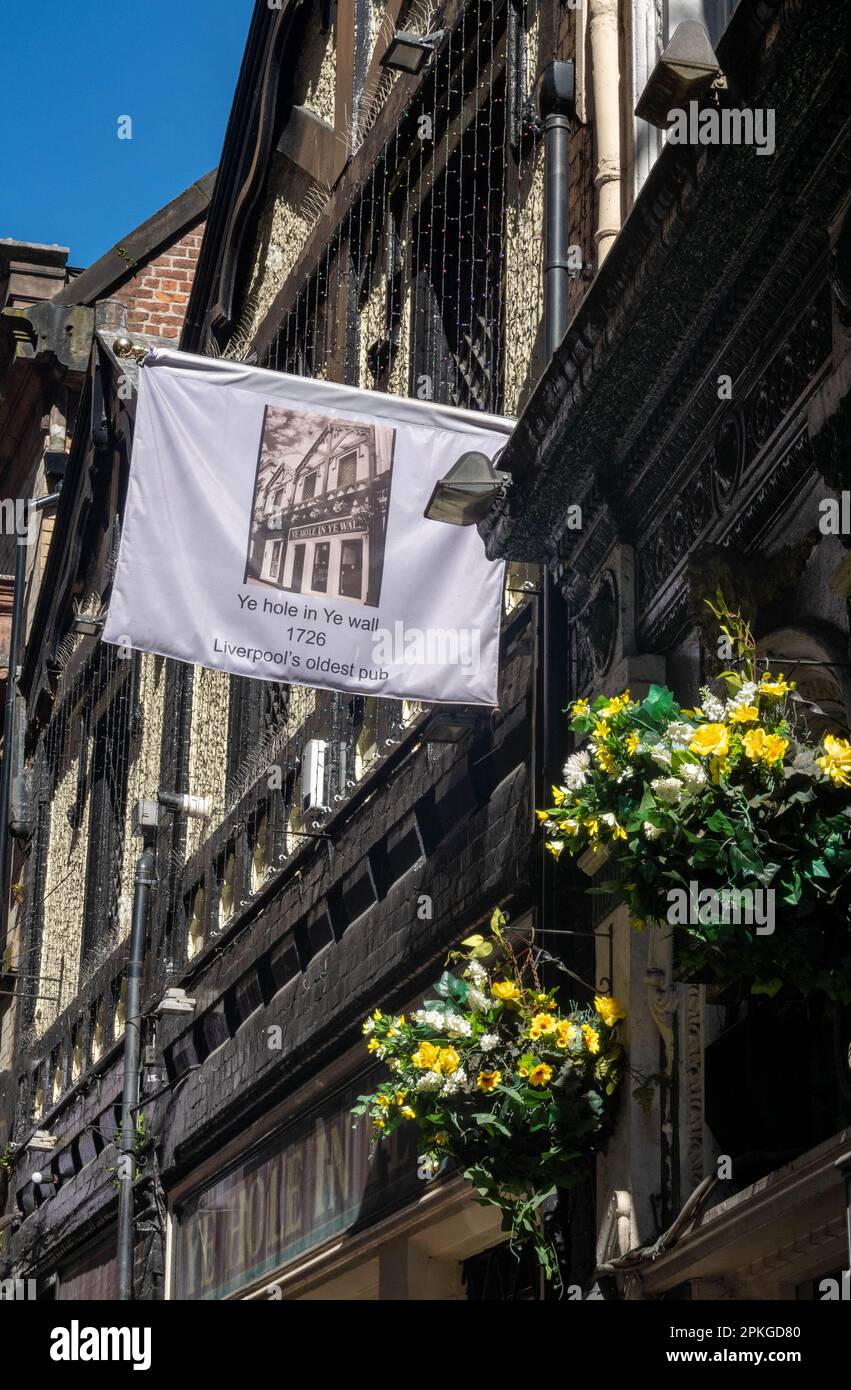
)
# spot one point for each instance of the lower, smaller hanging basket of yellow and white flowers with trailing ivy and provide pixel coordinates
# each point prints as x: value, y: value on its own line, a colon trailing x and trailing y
x: 500, y: 1081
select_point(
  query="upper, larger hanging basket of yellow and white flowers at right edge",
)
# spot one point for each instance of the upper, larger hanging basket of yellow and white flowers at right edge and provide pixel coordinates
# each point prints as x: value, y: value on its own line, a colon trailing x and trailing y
x: 727, y: 821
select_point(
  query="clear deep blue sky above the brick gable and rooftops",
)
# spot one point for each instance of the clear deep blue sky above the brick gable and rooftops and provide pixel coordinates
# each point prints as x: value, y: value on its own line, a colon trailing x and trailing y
x: 72, y: 72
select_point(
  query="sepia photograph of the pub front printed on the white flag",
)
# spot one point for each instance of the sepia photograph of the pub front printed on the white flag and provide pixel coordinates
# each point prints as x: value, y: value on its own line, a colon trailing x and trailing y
x: 322, y: 500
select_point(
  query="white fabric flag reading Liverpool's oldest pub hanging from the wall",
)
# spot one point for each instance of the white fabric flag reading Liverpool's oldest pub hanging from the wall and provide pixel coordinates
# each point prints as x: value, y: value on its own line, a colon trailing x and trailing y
x: 275, y: 529
